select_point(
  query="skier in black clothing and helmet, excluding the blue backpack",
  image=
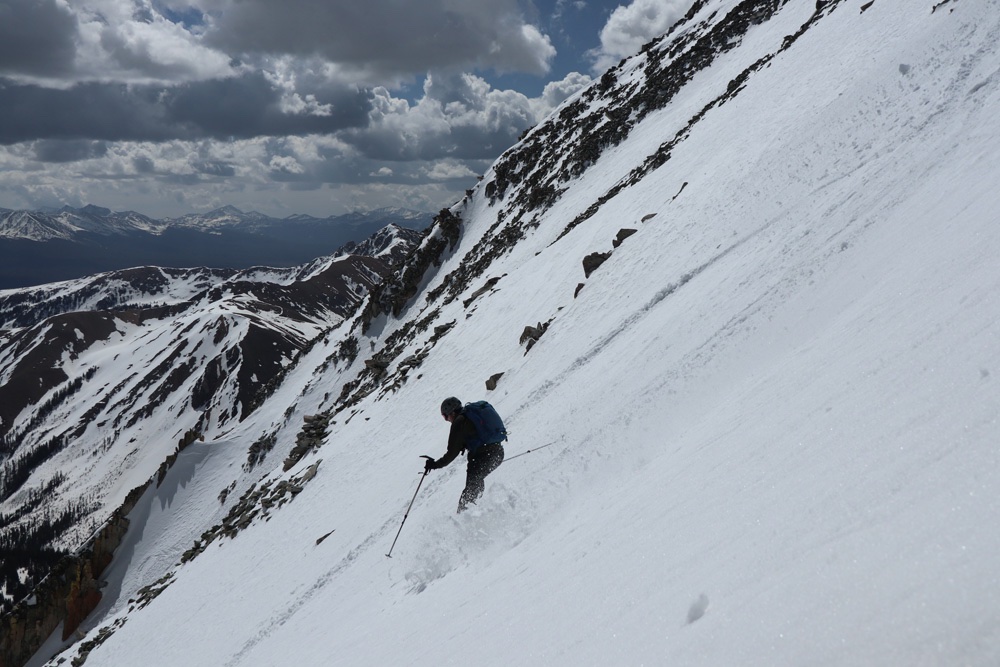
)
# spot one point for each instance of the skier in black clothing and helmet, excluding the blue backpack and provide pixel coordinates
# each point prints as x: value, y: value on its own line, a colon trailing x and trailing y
x: 484, y: 457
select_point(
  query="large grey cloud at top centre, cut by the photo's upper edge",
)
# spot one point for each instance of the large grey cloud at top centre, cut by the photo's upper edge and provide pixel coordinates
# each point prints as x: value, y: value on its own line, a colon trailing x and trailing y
x: 386, y: 36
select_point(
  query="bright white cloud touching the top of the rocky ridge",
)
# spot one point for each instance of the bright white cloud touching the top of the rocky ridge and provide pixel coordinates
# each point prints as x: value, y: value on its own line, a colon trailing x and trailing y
x: 631, y: 26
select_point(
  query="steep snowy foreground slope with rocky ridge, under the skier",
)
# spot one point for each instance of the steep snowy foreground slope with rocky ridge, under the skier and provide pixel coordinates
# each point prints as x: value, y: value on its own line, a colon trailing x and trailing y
x: 737, y: 304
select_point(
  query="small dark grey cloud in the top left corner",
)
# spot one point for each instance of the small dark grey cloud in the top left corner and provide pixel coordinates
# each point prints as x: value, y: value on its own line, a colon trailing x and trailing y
x: 37, y: 37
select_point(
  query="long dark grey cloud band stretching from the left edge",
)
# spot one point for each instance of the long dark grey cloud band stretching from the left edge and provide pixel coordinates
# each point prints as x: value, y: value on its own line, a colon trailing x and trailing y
x: 244, y: 107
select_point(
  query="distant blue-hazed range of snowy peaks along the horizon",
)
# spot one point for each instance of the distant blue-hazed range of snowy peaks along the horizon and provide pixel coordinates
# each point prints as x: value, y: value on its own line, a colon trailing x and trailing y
x: 38, y: 247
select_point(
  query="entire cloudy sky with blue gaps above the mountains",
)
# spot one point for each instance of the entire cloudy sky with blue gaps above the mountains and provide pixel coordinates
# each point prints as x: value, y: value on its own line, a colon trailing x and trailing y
x: 168, y: 107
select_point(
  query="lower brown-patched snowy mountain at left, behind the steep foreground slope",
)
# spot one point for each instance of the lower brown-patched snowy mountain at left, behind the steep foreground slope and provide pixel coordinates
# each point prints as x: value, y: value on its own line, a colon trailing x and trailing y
x: 150, y: 357
